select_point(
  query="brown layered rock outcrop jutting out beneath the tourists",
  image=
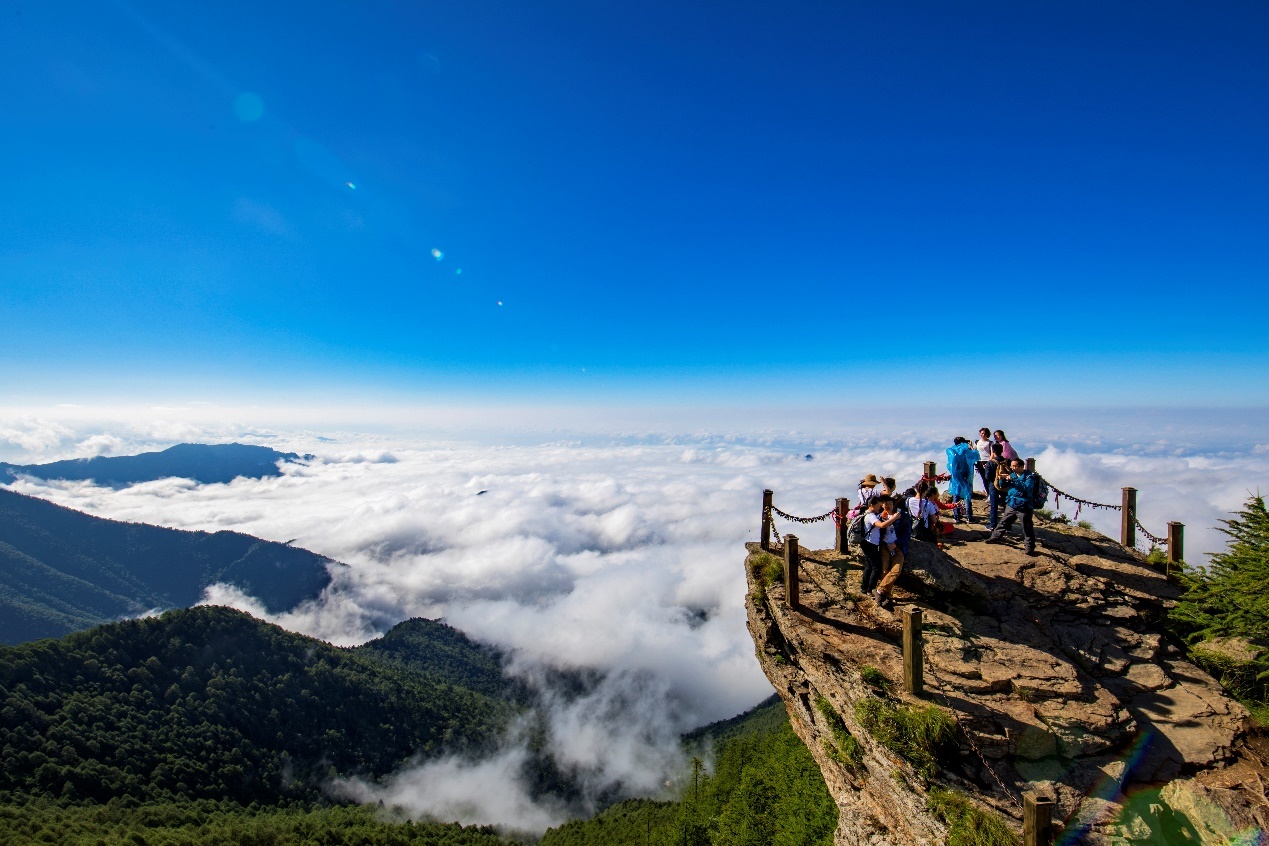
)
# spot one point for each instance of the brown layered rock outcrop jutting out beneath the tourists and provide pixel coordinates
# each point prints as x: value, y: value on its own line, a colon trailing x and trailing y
x: 1056, y: 674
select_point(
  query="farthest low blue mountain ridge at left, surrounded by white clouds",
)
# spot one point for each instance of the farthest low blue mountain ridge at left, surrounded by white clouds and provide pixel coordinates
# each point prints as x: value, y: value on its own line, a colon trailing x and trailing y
x: 206, y: 464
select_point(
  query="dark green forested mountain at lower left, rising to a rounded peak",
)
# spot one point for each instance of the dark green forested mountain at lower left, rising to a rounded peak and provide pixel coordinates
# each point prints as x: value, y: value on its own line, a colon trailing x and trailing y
x: 213, y: 703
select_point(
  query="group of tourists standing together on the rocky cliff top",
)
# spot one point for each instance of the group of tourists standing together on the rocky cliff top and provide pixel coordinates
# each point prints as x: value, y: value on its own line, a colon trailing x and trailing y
x: 885, y: 522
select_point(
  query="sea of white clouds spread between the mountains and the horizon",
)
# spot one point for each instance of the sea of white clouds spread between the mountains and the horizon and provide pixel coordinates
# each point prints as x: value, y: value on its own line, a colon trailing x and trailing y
x: 617, y: 554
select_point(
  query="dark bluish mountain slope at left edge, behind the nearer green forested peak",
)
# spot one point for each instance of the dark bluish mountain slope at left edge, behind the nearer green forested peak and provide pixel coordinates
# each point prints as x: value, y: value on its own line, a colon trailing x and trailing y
x: 63, y: 570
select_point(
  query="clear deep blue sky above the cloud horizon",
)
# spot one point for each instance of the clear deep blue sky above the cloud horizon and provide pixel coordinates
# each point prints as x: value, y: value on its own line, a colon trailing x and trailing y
x: 680, y: 198
